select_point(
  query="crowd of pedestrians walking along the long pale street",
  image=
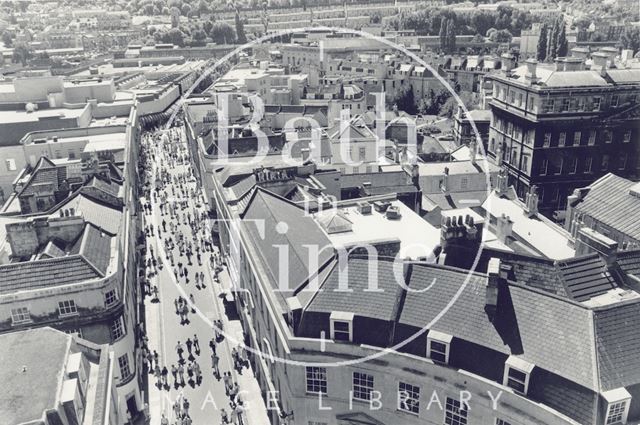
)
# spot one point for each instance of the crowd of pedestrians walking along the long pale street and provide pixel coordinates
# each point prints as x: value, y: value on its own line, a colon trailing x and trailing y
x: 184, y: 235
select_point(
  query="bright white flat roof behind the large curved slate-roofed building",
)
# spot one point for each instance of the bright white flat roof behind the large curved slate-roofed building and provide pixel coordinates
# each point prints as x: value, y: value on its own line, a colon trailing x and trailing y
x: 417, y: 237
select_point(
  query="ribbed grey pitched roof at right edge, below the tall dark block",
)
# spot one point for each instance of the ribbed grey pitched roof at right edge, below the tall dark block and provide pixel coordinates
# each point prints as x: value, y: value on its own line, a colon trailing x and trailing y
x: 608, y: 201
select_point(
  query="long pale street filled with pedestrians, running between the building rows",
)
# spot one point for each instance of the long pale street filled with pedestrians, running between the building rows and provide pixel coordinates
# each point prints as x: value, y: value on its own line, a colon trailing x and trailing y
x: 187, y: 299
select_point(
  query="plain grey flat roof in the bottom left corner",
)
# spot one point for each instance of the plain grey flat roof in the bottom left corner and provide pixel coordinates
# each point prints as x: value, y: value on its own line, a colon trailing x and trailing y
x: 22, y: 374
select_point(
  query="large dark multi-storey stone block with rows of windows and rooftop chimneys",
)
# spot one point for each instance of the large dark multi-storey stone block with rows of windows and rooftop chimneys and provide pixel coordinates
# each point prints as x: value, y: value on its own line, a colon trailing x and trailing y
x: 562, y: 127
